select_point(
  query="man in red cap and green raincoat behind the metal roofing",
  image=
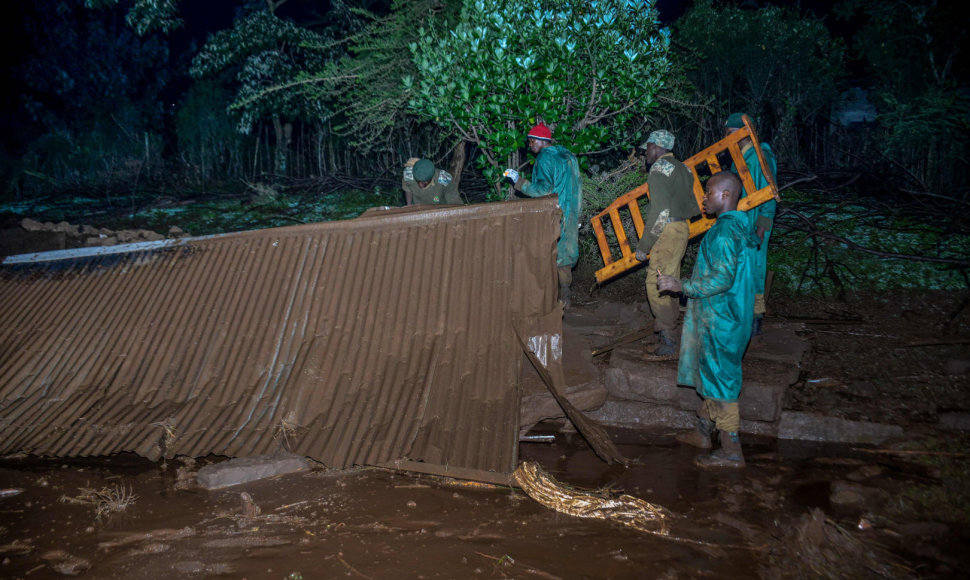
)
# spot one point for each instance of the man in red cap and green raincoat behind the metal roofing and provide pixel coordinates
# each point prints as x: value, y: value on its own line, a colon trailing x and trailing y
x: 556, y: 172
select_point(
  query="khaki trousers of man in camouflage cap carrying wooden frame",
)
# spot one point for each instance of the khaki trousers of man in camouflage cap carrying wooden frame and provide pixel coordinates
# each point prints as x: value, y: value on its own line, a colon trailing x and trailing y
x: 666, y: 254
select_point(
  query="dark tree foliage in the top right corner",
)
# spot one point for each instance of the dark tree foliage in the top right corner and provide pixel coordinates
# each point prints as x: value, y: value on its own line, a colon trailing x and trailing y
x: 914, y: 51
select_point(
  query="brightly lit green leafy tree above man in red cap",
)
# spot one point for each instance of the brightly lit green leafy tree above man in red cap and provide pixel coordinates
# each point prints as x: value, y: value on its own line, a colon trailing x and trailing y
x: 586, y: 69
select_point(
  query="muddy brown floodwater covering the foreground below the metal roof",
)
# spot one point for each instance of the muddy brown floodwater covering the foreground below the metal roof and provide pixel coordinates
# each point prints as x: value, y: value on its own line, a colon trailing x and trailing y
x: 372, y: 523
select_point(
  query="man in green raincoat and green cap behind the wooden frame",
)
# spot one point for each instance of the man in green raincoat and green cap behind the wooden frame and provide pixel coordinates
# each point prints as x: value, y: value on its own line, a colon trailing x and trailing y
x: 762, y: 218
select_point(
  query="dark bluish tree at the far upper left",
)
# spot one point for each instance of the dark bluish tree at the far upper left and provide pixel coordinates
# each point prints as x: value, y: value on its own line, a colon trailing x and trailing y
x: 93, y: 91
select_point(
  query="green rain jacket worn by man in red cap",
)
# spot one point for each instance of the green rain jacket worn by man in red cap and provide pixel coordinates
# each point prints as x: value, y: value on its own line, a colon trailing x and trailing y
x: 557, y: 172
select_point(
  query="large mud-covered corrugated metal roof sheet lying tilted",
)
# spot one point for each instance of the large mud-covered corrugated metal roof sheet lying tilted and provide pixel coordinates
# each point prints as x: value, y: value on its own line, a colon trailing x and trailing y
x: 385, y: 338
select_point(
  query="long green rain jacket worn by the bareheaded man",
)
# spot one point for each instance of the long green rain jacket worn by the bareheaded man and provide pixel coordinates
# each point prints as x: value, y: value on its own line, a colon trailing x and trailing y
x: 717, y: 326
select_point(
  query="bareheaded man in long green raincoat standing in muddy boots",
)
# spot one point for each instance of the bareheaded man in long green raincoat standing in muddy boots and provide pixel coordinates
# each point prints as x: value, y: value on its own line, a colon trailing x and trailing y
x: 717, y: 326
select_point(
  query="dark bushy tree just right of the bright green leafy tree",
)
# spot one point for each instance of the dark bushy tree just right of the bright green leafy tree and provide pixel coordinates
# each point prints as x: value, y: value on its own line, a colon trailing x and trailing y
x: 779, y: 66
